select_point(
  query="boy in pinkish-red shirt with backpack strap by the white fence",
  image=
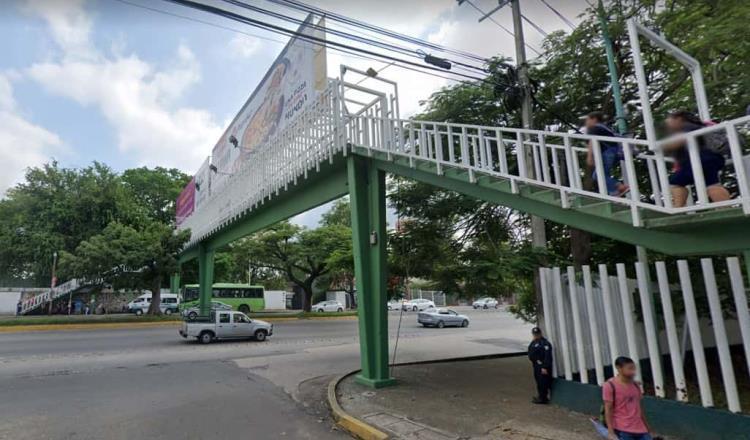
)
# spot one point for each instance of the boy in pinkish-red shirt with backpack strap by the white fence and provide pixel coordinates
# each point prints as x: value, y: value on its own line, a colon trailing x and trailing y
x: 622, y: 404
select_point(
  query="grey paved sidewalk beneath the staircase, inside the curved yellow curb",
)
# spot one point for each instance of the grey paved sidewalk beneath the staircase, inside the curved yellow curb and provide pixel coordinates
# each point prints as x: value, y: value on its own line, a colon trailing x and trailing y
x: 483, y: 399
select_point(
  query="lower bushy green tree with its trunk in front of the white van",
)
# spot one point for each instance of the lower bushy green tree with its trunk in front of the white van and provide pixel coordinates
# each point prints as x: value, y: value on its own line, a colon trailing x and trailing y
x: 127, y: 257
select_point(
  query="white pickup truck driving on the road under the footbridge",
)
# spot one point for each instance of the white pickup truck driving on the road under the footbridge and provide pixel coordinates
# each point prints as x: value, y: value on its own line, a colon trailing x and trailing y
x: 226, y: 325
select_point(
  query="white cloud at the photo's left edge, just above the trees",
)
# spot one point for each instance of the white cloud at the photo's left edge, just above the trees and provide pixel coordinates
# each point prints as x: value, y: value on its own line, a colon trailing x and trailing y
x: 22, y: 144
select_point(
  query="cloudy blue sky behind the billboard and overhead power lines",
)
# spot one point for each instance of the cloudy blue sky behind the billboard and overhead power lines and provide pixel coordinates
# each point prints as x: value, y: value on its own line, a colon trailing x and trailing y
x: 146, y: 82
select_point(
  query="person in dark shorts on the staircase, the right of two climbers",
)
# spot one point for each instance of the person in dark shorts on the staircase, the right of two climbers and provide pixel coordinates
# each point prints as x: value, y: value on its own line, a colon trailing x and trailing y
x: 712, y: 160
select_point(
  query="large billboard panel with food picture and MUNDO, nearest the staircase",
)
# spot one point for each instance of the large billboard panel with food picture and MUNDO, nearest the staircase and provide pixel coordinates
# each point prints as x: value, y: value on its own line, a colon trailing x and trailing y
x: 288, y: 86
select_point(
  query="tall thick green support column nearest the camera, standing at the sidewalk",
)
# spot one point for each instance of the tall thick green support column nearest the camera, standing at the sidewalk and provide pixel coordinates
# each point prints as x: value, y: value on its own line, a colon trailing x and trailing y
x: 367, y: 192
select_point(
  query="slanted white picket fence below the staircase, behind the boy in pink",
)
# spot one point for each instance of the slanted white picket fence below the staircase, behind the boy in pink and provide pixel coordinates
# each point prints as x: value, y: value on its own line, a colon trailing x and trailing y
x: 591, y: 318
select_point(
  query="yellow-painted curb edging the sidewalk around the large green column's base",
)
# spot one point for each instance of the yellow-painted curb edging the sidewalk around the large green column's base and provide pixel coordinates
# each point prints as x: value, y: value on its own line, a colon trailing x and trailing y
x: 360, y: 429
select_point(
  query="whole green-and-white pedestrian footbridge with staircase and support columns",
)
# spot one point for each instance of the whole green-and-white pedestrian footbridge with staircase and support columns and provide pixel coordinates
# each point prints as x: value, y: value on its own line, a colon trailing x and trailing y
x: 347, y: 144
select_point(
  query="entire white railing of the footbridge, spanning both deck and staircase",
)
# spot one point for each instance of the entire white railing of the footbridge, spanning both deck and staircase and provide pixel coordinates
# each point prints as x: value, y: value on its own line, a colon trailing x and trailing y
x: 546, y: 159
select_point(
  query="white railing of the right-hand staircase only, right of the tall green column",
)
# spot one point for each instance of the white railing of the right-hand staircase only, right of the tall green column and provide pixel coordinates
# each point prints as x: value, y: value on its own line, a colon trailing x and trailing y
x: 558, y: 159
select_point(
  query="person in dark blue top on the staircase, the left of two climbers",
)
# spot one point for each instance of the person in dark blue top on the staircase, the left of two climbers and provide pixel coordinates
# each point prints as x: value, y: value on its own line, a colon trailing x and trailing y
x: 611, y: 152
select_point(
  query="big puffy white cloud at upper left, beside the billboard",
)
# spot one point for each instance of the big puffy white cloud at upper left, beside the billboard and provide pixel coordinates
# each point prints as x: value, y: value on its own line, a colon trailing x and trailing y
x: 138, y: 99
